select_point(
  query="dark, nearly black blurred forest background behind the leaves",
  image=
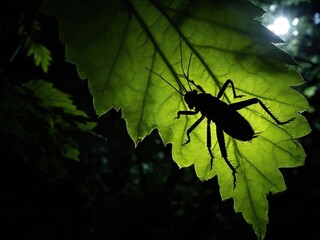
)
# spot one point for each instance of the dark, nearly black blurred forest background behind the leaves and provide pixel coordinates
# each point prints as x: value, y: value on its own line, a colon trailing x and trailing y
x: 117, y: 190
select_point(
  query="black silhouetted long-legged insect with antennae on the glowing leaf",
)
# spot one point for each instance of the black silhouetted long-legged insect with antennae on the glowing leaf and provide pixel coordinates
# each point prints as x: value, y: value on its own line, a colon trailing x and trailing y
x: 226, y: 116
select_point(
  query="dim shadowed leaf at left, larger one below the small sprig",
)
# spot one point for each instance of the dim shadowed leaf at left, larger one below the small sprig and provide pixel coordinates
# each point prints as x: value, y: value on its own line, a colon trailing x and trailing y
x: 71, y: 119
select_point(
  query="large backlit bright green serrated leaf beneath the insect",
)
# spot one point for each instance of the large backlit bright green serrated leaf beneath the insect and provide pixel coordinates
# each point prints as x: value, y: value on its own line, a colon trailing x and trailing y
x: 112, y: 42
